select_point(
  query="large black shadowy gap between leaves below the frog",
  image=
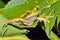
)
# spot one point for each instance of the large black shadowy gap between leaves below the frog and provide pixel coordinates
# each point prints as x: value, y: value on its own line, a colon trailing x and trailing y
x: 37, y: 33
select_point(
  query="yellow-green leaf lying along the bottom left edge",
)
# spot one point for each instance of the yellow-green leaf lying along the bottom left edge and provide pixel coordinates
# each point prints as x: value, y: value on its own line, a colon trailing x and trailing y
x: 21, y: 37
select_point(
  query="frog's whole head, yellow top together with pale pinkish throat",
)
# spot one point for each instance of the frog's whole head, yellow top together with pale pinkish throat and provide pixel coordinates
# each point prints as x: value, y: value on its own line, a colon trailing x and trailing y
x: 31, y: 16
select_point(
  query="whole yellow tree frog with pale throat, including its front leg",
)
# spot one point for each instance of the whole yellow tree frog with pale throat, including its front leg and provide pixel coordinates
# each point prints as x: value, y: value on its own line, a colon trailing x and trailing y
x: 29, y: 17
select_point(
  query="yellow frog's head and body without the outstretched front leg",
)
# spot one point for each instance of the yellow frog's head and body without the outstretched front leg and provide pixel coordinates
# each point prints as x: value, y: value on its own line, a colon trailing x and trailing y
x: 27, y: 19
